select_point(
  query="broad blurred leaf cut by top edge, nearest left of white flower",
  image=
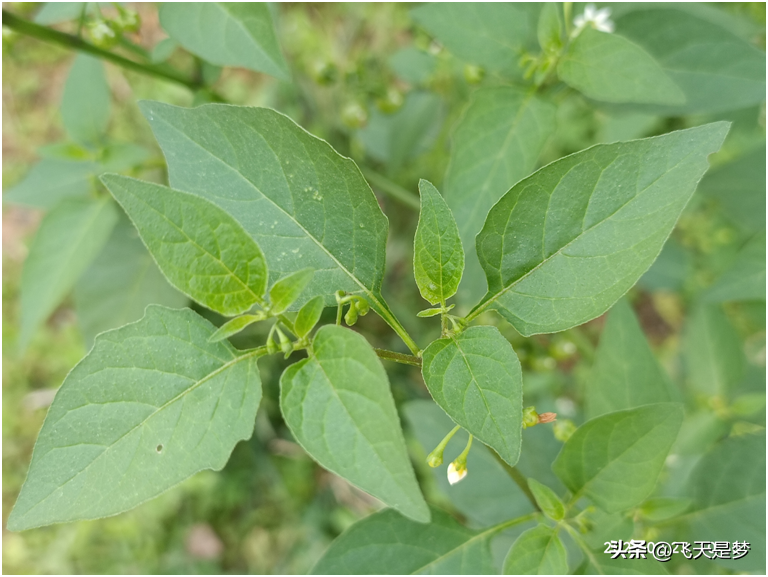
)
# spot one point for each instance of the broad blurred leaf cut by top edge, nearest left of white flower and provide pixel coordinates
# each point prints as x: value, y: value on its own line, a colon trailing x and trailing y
x: 490, y: 34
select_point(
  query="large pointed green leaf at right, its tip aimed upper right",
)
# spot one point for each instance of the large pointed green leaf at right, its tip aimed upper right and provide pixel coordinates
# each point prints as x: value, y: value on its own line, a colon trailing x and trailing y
x: 565, y: 243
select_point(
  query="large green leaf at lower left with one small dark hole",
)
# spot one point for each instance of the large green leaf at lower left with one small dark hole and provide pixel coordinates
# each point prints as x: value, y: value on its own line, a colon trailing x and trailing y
x: 152, y: 403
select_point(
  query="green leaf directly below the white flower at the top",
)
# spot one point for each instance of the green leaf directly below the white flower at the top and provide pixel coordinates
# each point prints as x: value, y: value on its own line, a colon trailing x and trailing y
x: 611, y: 68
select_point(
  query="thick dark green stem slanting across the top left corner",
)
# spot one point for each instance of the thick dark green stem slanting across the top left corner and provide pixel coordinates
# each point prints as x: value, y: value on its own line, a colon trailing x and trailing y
x: 76, y: 43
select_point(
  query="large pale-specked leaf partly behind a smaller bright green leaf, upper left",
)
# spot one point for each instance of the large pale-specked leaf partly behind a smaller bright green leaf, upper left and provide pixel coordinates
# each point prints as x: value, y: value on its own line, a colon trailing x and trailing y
x: 304, y: 204
